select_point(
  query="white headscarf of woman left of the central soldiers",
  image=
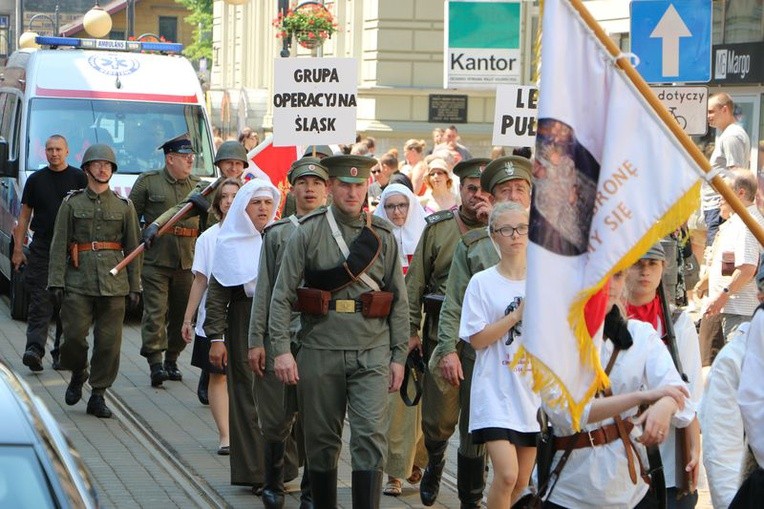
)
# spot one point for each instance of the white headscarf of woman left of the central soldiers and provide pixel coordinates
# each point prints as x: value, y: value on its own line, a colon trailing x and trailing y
x: 237, y: 252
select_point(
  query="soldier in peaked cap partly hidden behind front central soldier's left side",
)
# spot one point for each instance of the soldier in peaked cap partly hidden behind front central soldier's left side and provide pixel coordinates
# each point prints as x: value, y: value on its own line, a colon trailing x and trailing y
x: 277, y: 403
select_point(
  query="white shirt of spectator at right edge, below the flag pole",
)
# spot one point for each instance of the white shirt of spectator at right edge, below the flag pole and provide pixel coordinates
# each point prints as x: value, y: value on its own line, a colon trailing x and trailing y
x: 734, y: 236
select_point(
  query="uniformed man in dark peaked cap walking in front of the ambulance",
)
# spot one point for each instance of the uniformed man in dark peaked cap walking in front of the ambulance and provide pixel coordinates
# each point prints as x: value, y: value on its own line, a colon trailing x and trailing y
x: 166, y: 275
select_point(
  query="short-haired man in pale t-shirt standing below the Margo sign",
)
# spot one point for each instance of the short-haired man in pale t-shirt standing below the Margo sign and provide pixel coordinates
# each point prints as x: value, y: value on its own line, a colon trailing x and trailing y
x: 732, y: 148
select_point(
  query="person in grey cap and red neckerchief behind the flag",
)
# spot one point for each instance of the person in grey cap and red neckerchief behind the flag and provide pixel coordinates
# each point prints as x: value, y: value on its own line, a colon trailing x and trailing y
x: 647, y: 302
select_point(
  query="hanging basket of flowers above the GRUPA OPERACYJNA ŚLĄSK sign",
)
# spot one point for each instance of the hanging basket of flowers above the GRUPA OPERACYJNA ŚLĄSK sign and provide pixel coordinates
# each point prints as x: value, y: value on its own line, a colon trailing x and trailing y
x: 310, y: 23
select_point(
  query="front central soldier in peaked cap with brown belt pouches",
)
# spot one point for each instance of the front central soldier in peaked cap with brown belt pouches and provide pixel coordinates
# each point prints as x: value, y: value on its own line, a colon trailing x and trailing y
x: 353, y: 337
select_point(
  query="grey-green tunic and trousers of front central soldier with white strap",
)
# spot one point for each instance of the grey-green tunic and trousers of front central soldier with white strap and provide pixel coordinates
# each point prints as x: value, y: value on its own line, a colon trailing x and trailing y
x: 344, y: 357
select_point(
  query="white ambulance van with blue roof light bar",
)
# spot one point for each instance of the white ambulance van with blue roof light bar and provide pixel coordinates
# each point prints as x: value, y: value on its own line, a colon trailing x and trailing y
x: 130, y: 95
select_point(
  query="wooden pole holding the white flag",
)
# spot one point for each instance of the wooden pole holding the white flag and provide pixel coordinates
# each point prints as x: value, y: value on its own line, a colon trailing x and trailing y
x: 625, y: 65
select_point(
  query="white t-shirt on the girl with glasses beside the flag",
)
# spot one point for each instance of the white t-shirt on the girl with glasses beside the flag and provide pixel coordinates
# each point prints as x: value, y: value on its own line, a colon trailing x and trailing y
x: 499, y: 397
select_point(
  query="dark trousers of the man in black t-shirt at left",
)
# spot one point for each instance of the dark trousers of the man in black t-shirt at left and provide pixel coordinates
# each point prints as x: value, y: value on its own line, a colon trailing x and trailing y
x: 41, y: 309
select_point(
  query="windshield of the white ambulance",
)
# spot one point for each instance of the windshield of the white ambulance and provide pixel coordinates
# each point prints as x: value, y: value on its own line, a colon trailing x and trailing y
x: 134, y: 130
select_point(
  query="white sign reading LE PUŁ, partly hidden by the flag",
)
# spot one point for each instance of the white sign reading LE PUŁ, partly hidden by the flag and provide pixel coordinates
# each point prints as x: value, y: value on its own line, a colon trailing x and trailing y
x: 514, y: 123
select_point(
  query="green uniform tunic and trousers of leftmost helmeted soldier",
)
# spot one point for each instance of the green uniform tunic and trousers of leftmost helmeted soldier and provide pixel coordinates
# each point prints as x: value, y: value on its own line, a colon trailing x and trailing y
x: 92, y: 294
